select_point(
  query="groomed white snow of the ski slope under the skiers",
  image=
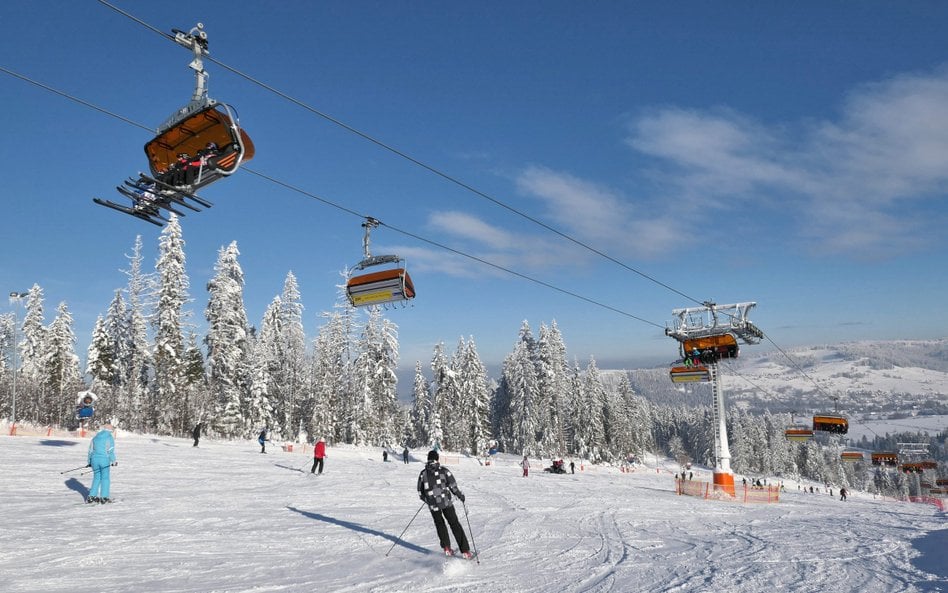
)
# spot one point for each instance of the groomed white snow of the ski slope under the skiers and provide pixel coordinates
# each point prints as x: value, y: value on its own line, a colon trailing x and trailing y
x: 224, y: 518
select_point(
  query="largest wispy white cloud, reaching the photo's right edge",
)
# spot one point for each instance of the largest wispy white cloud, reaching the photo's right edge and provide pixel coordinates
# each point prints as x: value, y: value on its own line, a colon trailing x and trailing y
x: 852, y: 182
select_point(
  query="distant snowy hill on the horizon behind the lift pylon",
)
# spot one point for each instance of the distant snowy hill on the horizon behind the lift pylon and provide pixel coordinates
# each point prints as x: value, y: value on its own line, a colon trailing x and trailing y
x: 868, y: 377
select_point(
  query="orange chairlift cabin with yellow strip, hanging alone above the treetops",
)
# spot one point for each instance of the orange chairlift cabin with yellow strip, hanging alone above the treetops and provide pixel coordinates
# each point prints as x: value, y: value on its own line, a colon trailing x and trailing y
x: 389, y: 284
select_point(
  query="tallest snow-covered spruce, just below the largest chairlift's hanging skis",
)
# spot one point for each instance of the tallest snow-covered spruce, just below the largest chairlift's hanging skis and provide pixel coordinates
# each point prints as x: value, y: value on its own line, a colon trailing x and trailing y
x: 166, y: 407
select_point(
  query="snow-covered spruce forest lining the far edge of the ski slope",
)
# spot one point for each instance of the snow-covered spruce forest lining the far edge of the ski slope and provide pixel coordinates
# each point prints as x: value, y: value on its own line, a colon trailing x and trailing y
x: 154, y: 374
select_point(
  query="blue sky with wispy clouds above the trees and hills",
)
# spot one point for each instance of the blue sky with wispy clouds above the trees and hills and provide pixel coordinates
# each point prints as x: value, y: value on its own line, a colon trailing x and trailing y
x: 792, y: 155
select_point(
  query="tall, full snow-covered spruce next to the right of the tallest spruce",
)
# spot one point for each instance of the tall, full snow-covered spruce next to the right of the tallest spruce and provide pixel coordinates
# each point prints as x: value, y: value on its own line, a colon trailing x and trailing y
x: 228, y: 345
